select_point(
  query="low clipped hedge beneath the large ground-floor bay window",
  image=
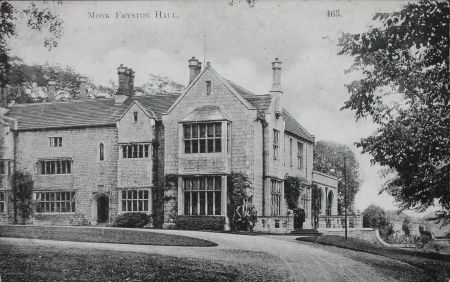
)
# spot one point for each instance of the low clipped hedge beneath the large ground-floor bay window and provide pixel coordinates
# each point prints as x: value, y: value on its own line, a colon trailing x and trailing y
x: 192, y: 222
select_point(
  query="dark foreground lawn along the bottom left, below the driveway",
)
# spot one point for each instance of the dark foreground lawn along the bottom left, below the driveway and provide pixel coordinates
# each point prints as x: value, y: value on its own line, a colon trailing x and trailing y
x: 45, y: 263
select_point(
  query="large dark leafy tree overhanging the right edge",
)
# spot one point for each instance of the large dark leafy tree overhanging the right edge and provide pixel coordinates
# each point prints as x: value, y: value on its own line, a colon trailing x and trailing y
x: 403, y: 61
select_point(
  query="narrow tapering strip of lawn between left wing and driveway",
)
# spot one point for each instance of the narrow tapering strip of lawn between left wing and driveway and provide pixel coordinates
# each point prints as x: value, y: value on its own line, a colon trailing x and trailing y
x: 101, y: 235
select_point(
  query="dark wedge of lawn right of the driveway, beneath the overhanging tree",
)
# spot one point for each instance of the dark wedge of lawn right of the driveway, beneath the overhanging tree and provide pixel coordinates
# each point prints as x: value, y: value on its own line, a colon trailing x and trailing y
x: 434, y: 263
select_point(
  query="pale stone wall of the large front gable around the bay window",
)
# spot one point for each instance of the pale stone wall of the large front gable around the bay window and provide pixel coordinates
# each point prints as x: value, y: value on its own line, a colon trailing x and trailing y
x: 242, y: 157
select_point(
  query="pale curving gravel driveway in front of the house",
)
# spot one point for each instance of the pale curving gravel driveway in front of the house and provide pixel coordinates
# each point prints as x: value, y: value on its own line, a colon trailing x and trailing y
x: 301, y: 262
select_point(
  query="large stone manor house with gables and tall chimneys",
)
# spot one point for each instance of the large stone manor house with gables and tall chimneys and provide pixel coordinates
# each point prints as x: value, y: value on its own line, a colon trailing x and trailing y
x: 93, y: 159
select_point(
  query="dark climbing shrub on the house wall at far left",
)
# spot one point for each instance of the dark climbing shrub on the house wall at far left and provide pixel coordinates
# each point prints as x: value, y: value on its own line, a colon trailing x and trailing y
x: 22, y: 195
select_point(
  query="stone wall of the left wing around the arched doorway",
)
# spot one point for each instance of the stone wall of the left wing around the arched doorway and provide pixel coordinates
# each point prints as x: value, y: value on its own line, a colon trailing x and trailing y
x: 89, y: 174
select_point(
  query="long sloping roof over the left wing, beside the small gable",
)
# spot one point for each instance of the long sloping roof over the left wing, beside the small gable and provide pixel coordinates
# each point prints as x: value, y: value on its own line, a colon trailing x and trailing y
x: 83, y: 113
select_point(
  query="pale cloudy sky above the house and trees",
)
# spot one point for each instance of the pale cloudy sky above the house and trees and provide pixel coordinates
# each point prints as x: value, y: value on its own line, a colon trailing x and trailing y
x: 240, y: 43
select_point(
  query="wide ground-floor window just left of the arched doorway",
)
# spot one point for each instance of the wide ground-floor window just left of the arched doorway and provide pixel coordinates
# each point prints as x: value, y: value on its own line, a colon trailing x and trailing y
x: 55, y: 200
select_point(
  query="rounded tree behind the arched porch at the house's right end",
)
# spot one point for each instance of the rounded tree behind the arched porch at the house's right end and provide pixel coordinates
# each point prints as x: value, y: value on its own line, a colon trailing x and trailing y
x: 329, y: 158
